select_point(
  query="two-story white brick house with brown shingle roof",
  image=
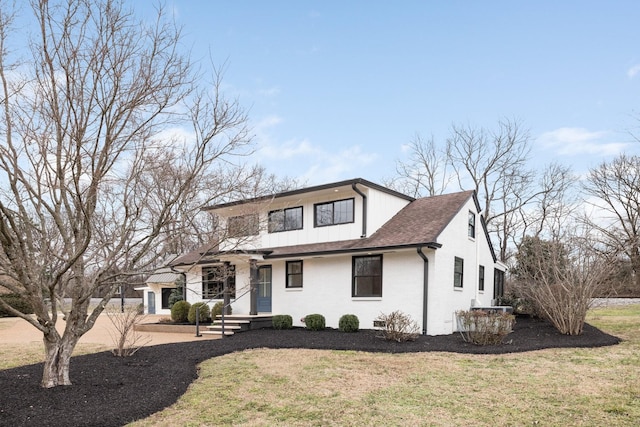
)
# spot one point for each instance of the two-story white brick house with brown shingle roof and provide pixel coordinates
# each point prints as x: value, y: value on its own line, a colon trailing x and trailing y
x: 350, y: 247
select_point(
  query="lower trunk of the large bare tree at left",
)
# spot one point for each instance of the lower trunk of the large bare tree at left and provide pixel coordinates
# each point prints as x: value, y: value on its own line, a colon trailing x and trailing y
x: 58, y: 352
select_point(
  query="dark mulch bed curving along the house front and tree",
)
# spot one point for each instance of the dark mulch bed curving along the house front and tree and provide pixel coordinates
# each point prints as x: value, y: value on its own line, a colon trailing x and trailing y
x: 111, y: 391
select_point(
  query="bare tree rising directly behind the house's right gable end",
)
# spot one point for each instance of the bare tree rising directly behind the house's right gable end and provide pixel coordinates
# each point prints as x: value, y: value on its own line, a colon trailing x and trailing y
x: 494, y: 163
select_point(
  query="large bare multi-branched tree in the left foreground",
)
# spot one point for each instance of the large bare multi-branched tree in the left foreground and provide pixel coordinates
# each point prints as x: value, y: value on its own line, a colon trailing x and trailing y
x: 84, y: 200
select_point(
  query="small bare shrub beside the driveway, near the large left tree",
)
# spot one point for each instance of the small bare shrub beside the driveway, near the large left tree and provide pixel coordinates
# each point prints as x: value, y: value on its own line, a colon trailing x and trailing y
x: 125, y: 338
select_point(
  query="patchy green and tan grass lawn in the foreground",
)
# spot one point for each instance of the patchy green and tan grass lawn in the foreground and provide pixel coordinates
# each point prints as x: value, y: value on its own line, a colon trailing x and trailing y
x: 557, y: 387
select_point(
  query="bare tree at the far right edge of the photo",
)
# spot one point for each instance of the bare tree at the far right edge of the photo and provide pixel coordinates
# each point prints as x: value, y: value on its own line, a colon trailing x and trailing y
x: 615, y: 189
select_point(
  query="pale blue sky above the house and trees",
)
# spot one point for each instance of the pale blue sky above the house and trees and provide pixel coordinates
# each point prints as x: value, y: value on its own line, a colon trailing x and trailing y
x: 336, y: 89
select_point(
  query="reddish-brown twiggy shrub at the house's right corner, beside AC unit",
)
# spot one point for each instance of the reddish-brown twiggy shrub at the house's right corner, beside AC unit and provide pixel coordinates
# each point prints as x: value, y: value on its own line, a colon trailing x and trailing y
x: 482, y: 327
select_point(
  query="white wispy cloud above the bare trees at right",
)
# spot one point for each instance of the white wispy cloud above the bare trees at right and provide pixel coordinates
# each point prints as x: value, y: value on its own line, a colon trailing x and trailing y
x: 577, y: 141
